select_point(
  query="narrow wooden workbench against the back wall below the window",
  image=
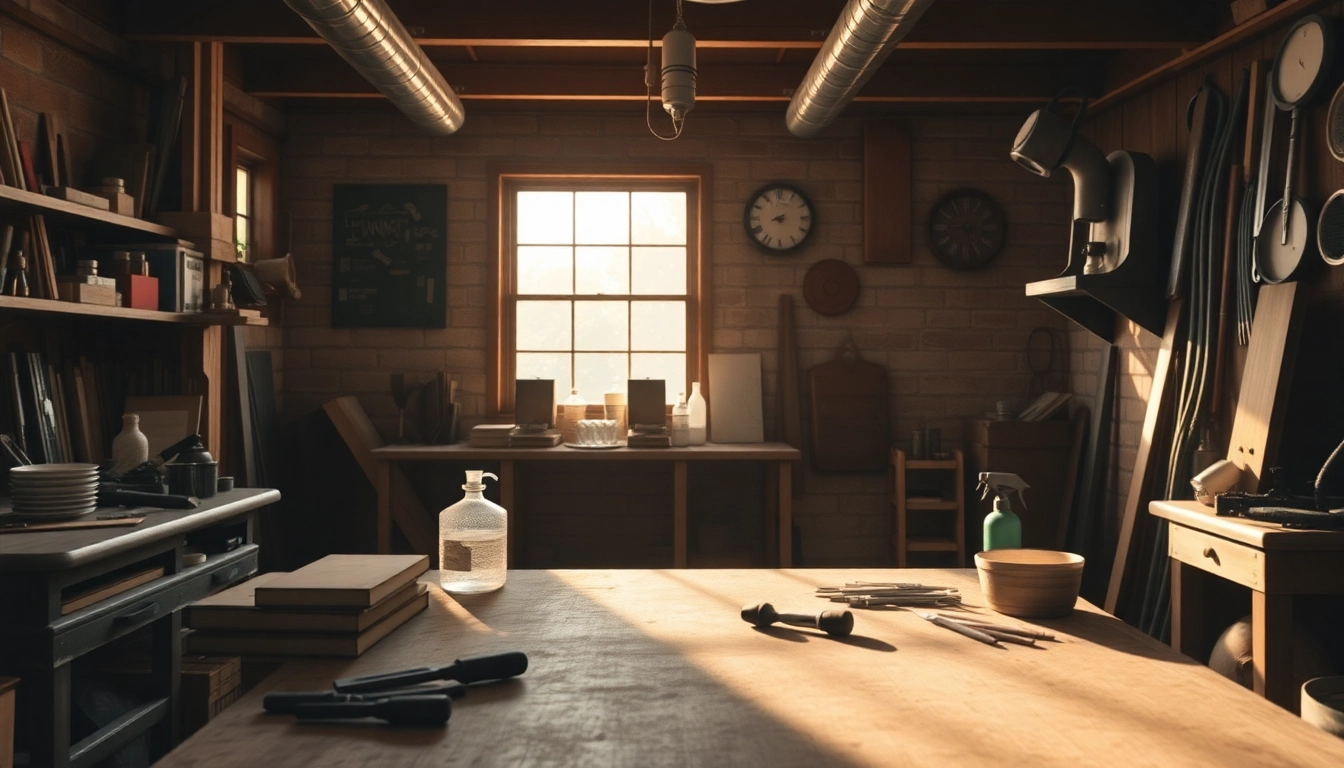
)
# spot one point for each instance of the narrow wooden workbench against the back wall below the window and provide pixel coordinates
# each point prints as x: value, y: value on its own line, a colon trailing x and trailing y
x: 778, y: 455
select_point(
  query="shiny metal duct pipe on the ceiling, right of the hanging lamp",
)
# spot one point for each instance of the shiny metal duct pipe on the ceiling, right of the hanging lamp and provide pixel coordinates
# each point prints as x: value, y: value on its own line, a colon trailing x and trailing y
x: 864, y: 38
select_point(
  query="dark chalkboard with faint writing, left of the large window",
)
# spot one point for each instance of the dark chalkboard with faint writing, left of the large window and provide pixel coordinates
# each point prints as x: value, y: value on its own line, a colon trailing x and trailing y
x: 389, y: 256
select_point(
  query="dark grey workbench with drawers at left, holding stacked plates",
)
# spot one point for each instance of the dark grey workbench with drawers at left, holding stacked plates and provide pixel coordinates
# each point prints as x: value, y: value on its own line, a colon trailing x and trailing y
x: 40, y: 638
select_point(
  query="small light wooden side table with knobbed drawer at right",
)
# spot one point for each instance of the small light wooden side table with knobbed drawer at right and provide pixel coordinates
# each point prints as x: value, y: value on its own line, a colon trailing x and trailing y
x: 1275, y: 563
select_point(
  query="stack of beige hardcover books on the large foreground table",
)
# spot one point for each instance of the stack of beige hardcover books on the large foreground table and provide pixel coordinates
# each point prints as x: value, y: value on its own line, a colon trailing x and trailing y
x: 338, y: 606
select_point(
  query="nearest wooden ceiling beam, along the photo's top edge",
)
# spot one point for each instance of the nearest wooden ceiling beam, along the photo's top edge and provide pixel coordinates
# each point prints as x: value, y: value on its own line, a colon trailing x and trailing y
x: 950, y: 25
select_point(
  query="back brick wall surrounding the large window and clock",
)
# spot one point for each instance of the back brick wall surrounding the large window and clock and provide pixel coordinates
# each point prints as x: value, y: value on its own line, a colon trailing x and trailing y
x: 952, y: 342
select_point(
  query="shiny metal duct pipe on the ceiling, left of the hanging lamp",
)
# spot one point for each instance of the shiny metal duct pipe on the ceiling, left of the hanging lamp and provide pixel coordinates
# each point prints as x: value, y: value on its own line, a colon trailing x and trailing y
x: 373, y: 40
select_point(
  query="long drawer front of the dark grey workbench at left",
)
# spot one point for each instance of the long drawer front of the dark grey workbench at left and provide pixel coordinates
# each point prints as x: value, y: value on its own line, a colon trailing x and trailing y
x: 111, y: 619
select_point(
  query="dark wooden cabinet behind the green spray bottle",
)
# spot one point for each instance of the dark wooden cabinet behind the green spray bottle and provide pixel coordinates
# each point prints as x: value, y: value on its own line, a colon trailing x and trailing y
x: 1038, y: 453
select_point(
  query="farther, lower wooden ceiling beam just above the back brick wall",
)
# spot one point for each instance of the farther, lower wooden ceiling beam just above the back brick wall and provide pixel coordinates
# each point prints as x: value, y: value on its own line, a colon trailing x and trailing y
x: 287, y: 77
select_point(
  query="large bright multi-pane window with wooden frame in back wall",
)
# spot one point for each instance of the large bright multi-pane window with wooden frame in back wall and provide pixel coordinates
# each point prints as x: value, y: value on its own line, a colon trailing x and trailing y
x: 600, y: 284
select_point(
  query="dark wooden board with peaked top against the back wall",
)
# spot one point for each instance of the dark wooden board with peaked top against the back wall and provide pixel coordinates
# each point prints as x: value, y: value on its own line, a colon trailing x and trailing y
x: 851, y: 414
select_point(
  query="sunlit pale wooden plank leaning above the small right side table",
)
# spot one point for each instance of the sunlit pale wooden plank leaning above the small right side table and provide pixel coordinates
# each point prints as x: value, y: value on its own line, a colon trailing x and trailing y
x: 1267, y: 381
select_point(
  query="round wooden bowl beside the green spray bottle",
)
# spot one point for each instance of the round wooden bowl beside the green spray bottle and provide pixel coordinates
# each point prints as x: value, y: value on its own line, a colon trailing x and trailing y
x: 1030, y: 583
